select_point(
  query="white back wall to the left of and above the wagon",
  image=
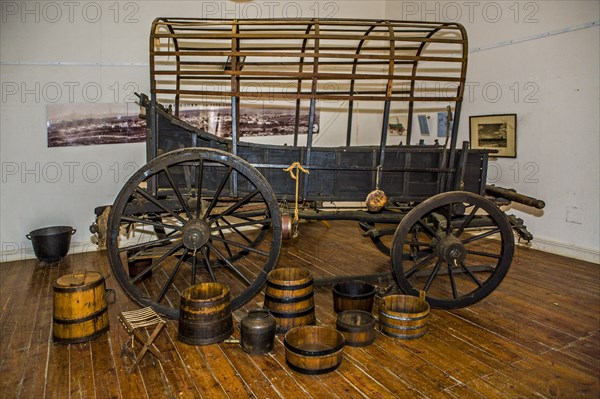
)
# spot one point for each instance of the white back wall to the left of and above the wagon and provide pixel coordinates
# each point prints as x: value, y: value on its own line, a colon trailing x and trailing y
x: 88, y: 51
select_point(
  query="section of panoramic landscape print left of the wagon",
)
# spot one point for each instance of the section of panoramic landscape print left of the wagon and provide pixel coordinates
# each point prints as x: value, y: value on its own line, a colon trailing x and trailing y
x: 91, y: 124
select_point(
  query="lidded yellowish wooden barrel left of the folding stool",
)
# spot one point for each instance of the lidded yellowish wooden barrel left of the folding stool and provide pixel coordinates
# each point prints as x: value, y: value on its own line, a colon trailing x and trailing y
x: 80, y: 310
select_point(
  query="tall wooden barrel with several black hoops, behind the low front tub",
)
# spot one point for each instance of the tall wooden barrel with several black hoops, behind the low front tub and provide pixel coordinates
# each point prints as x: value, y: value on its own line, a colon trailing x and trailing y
x: 289, y: 297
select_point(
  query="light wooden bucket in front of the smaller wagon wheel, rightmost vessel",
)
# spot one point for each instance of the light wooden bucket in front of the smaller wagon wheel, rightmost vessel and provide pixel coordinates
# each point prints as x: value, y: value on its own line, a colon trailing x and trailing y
x: 404, y: 316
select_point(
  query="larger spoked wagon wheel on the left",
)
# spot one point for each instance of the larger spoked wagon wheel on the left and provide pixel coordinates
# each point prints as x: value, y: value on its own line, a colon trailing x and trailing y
x: 189, y: 216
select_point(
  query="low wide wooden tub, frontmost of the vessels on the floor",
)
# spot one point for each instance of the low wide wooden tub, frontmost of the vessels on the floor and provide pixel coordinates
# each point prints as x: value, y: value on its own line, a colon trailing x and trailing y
x: 314, y: 349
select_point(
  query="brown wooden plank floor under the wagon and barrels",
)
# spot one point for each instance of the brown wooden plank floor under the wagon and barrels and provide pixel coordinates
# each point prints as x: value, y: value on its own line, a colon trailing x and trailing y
x: 537, y: 335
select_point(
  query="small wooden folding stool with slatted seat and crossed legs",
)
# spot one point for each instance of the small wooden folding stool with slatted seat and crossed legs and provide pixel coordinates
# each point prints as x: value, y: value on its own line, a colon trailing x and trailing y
x: 133, y: 321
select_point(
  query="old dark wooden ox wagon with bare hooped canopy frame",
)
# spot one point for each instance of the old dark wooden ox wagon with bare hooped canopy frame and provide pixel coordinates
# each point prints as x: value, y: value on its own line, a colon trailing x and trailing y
x: 213, y: 205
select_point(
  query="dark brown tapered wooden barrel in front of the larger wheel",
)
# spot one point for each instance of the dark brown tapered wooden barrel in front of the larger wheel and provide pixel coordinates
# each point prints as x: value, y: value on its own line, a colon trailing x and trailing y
x: 205, y: 314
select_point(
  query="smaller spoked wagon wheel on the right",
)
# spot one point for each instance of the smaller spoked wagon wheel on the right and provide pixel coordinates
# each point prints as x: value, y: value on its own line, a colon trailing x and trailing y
x: 456, y: 246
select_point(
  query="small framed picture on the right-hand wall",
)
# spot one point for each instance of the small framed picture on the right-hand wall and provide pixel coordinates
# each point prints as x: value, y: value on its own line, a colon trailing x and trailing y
x: 495, y: 132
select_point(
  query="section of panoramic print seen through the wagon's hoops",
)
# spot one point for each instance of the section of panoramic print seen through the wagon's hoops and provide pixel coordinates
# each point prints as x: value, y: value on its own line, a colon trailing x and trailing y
x: 254, y: 121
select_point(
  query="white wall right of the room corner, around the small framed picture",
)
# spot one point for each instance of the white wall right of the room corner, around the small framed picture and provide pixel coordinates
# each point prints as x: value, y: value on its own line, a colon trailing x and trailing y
x: 551, y: 83
